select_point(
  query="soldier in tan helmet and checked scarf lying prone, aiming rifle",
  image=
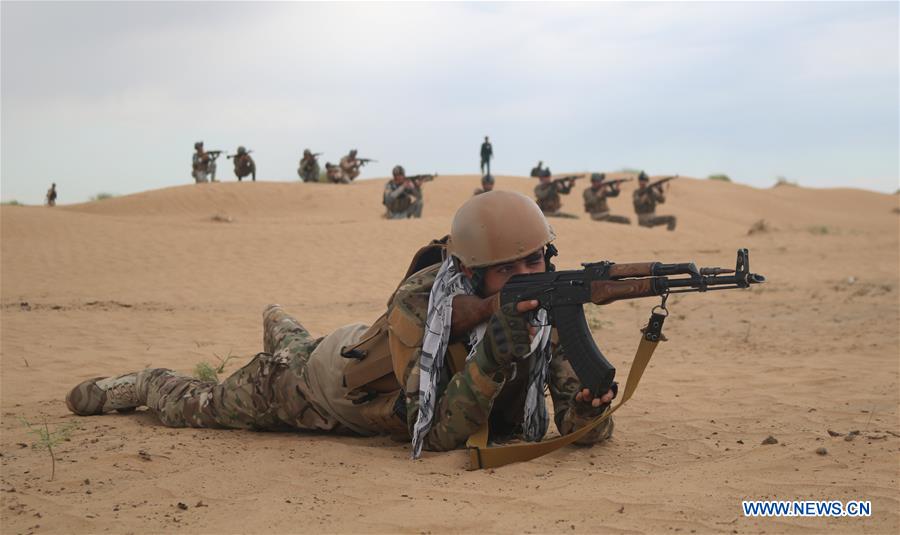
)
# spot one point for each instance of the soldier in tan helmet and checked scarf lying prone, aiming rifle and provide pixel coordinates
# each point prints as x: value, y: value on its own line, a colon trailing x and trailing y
x: 445, y: 309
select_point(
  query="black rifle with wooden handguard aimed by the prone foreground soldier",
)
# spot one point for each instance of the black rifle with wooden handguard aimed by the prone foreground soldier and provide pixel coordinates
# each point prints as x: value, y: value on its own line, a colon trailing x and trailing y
x: 562, y: 294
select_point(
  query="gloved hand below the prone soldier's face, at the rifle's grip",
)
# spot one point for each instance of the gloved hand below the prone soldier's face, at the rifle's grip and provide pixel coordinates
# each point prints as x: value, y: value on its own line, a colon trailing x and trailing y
x: 507, y: 338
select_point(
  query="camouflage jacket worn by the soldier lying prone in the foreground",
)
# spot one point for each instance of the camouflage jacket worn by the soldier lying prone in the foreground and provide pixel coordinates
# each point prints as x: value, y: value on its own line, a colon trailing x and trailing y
x: 467, y: 399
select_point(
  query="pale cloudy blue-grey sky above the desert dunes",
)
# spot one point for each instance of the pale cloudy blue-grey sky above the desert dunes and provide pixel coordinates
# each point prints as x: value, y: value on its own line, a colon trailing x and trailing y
x: 110, y: 97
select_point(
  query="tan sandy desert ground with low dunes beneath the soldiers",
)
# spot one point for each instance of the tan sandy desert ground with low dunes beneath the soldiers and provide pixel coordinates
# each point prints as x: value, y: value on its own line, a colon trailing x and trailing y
x: 151, y: 279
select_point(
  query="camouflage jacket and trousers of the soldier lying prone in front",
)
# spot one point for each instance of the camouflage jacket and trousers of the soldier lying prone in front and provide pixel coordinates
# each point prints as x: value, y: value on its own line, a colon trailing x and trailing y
x: 297, y: 383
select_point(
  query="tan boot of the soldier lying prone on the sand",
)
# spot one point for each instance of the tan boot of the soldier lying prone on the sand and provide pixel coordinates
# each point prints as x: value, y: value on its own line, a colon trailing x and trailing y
x: 105, y: 394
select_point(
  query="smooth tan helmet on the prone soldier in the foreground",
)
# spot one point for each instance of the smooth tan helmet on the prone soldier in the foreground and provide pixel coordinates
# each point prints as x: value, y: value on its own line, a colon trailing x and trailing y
x: 497, y: 227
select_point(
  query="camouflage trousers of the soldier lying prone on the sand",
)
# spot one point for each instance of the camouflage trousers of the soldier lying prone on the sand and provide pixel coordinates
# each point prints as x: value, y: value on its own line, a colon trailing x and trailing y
x: 290, y: 385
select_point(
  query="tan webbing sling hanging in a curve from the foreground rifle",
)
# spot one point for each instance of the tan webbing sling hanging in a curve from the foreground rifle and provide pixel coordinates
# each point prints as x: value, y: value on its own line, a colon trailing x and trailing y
x: 481, y: 456
